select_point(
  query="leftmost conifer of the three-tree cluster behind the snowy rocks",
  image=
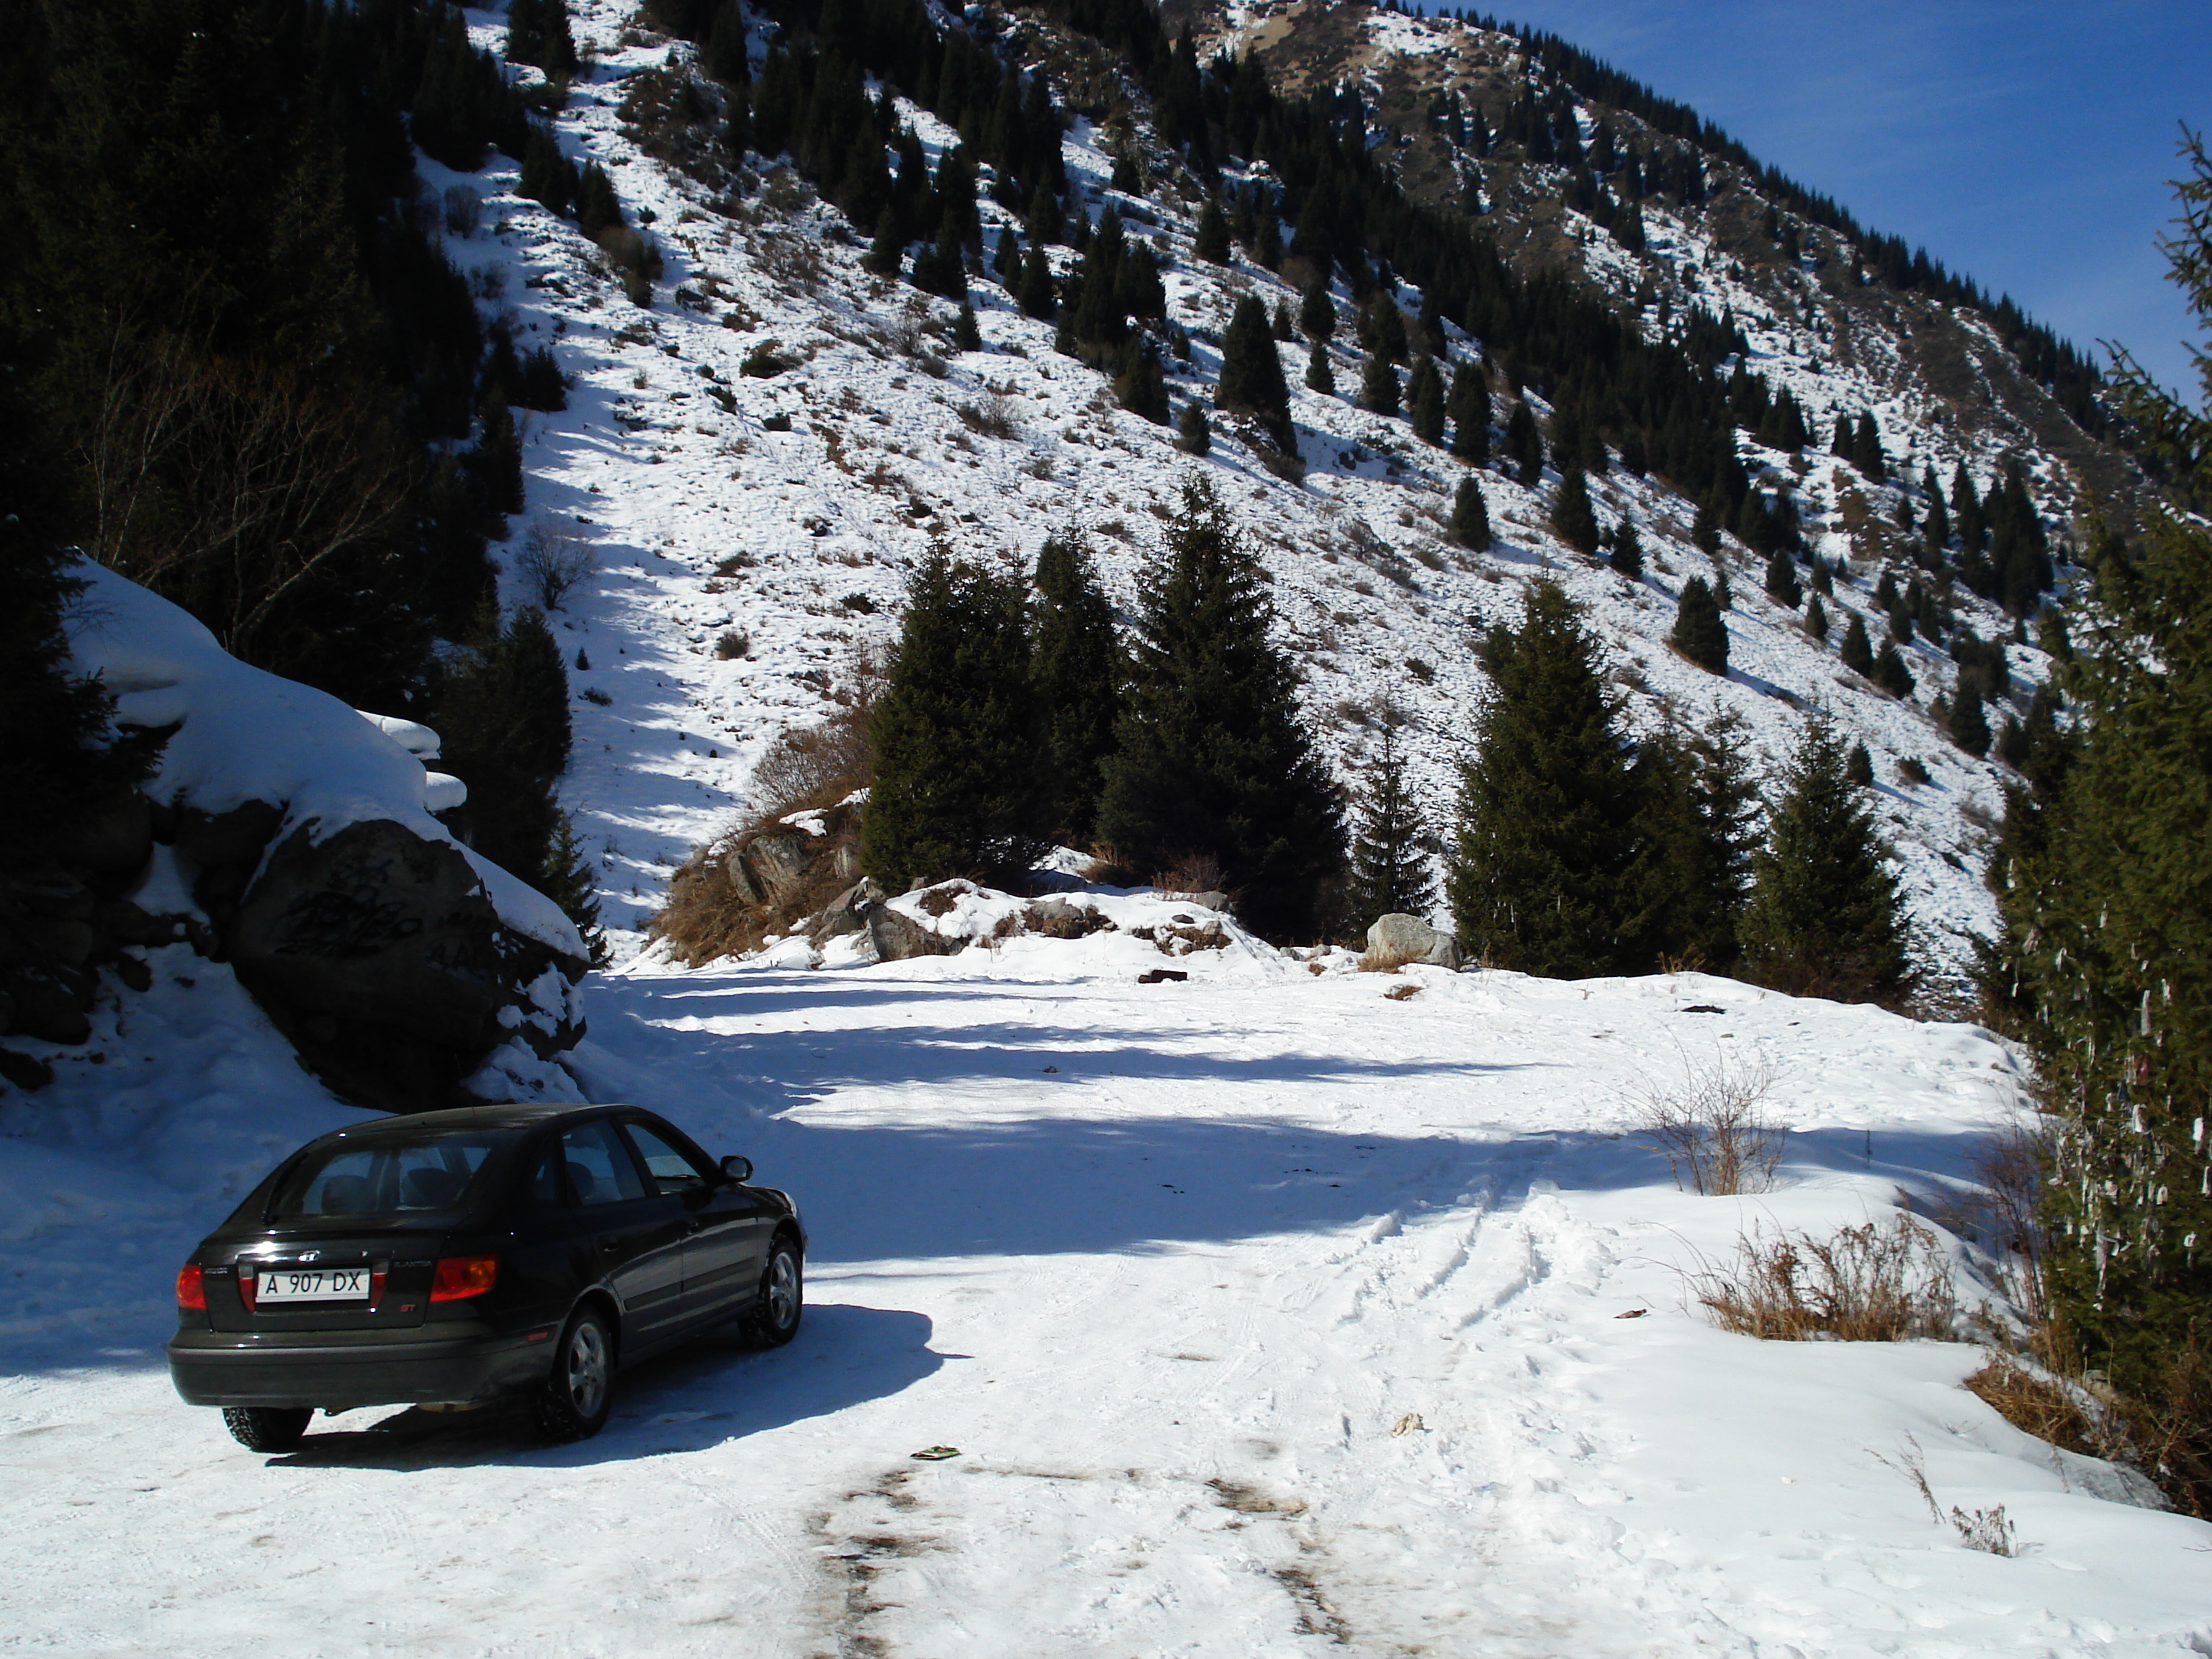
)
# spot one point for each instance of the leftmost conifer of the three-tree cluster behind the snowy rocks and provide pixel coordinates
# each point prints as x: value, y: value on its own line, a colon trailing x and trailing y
x: 954, y: 735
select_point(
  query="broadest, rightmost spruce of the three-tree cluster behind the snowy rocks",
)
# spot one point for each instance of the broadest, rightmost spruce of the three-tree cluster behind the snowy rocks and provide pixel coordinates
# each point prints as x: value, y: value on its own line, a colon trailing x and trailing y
x: 1211, y: 755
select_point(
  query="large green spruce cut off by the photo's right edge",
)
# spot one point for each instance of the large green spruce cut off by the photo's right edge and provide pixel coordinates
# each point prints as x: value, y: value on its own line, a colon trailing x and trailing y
x: 2105, y: 959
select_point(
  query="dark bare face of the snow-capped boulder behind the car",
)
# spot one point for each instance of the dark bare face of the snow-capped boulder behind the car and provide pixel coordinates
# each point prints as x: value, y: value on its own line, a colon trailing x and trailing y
x: 388, y: 966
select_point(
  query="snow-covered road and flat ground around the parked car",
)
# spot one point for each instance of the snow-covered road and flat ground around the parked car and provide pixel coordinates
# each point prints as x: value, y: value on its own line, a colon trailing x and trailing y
x: 1269, y: 1317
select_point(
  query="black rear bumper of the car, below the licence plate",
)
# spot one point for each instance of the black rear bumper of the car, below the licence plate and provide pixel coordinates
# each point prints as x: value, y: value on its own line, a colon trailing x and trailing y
x: 225, y: 1368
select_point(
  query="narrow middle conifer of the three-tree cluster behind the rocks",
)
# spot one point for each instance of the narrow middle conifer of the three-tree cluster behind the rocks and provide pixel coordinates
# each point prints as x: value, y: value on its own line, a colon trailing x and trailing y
x: 1076, y: 676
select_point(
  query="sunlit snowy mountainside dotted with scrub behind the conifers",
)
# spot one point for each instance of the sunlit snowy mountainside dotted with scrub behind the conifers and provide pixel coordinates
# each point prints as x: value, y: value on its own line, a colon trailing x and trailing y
x: 711, y: 521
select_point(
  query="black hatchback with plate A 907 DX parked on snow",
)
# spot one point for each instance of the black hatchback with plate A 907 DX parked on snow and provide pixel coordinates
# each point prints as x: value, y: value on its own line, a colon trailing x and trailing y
x: 468, y: 1255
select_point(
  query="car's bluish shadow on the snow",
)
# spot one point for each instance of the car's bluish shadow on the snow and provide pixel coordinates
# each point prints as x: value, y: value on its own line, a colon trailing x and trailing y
x: 711, y: 1390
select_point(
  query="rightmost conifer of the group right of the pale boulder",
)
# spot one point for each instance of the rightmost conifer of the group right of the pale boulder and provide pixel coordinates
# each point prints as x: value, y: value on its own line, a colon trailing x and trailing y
x: 1826, y: 917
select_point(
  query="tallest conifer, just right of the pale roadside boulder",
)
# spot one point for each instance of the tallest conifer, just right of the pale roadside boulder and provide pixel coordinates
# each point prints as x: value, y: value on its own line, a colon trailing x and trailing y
x: 1545, y: 862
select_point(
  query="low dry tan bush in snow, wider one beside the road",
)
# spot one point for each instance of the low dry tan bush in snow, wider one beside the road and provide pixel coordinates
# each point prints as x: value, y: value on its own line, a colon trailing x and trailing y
x: 1868, y: 1284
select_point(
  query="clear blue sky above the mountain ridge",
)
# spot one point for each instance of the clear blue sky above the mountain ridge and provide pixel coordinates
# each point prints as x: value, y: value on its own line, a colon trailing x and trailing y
x: 2025, y: 143
